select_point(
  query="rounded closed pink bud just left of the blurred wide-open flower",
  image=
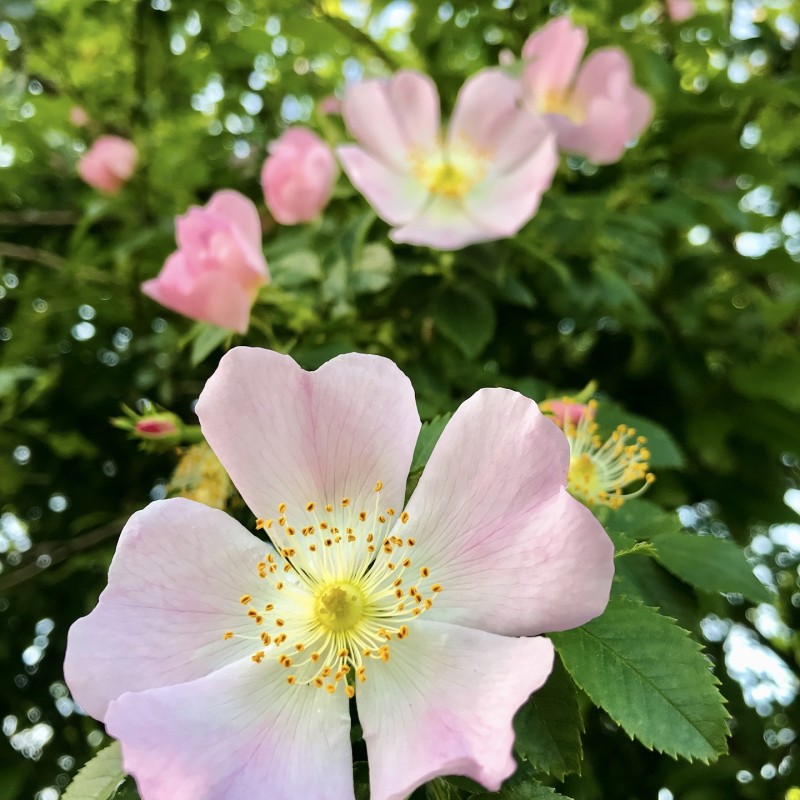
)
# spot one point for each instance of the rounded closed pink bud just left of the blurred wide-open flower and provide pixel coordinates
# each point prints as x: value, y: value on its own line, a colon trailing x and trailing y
x: 298, y: 176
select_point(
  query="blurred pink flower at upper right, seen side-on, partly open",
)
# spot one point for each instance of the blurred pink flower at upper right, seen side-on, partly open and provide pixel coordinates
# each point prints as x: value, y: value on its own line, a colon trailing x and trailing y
x: 595, y: 110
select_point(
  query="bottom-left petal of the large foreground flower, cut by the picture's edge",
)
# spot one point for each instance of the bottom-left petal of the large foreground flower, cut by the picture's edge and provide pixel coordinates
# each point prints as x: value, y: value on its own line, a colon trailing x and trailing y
x: 240, y: 733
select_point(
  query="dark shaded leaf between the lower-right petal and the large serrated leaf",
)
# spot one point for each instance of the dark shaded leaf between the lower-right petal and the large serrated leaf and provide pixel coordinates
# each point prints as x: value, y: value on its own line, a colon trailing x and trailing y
x: 549, y: 726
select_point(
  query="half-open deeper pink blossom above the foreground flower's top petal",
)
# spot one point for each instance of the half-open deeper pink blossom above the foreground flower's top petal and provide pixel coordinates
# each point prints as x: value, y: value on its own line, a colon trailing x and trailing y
x: 216, y: 272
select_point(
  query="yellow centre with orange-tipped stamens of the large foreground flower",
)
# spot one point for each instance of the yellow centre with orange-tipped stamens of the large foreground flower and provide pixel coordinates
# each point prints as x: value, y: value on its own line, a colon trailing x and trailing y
x: 337, y: 587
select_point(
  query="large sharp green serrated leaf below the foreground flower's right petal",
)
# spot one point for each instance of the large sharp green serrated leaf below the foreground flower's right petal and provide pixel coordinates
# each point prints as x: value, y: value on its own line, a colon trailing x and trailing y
x: 650, y: 677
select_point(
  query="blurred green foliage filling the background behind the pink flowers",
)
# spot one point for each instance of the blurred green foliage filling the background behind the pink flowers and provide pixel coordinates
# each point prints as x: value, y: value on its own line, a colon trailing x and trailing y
x: 672, y: 278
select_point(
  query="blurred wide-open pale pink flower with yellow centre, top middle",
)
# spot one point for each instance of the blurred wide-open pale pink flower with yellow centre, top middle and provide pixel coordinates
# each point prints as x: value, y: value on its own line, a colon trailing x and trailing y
x: 481, y: 180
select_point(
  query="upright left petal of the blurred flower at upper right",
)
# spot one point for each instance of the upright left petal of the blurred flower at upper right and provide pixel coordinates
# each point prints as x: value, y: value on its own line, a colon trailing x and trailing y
x: 554, y: 53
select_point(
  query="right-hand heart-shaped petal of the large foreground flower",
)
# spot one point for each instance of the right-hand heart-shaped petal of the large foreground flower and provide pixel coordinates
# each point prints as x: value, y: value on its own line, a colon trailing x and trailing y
x: 514, y: 553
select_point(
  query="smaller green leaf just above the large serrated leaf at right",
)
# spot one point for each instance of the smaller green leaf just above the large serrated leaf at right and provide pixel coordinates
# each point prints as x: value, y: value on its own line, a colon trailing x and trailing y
x: 710, y: 564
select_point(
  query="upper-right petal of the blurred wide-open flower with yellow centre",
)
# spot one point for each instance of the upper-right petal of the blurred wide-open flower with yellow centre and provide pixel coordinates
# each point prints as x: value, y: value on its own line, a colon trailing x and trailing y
x: 485, y: 107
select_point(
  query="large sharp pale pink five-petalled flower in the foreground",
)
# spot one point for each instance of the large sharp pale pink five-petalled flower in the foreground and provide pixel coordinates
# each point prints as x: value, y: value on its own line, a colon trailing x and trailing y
x: 224, y: 664
